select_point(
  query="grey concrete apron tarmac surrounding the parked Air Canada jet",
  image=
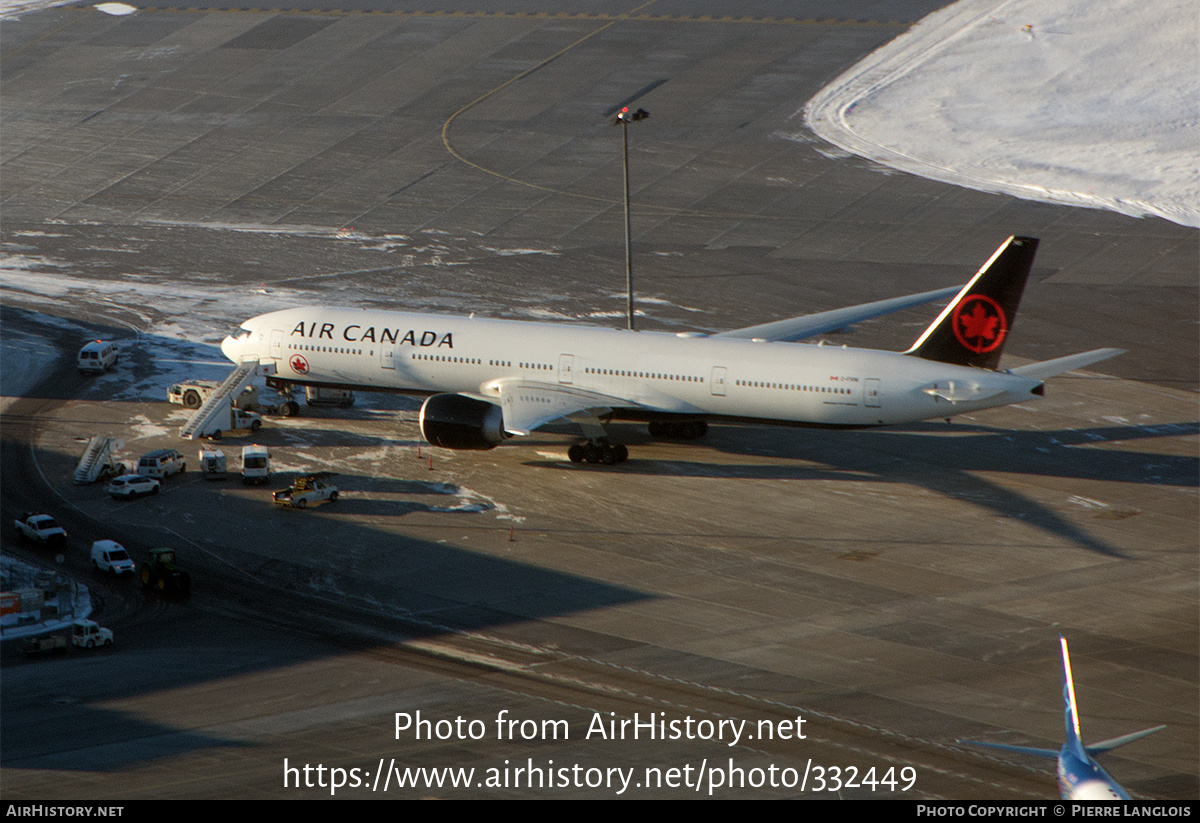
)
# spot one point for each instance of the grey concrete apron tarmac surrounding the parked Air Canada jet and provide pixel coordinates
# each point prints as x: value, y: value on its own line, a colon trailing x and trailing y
x: 897, y: 588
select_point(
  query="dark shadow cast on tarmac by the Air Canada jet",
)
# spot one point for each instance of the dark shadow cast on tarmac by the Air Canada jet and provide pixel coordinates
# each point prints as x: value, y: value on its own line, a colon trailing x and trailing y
x: 946, y: 465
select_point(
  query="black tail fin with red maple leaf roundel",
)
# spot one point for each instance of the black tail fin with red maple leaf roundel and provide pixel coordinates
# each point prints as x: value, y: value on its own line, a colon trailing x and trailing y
x: 971, y: 332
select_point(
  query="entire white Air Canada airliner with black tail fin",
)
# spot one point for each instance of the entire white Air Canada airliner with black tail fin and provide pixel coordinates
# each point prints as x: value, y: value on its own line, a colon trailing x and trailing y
x: 488, y: 381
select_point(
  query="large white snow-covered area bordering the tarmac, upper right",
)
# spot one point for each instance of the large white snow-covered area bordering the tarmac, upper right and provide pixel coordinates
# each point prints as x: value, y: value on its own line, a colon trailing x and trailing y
x: 1073, y: 101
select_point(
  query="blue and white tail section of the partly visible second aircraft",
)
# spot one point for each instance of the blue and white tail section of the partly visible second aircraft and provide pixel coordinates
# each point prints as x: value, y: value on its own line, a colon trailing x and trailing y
x: 1081, y: 778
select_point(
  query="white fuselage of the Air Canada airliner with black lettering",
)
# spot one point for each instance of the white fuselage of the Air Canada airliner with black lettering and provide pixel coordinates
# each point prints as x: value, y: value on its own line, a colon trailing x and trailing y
x: 689, y: 375
